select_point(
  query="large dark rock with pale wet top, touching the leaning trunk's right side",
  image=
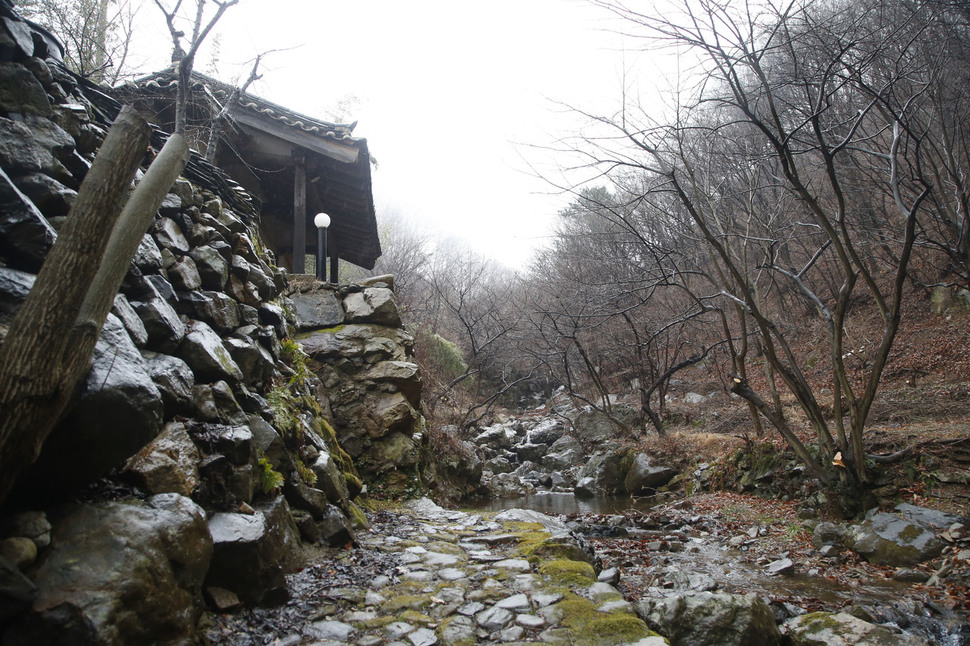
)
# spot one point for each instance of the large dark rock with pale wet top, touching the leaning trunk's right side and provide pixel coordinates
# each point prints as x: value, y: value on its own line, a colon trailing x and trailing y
x: 88, y: 443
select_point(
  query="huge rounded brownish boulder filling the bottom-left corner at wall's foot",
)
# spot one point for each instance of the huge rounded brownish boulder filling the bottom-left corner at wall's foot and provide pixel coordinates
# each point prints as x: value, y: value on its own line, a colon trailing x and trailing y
x: 120, y: 573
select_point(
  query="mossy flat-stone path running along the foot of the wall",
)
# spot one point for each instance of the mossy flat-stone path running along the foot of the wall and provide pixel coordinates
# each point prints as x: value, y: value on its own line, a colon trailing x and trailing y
x: 442, y: 577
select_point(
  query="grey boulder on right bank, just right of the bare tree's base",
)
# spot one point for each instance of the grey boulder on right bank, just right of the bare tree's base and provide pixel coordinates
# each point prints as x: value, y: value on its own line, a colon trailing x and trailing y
x: 888, y: 539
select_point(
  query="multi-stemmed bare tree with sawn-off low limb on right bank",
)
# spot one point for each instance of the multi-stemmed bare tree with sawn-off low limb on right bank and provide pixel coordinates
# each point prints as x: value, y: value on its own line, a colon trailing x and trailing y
x: 822, y: 96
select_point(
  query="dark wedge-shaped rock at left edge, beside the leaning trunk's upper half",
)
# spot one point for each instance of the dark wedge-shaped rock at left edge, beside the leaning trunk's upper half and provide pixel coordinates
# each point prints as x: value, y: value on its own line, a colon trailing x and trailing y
x: 25, y: 234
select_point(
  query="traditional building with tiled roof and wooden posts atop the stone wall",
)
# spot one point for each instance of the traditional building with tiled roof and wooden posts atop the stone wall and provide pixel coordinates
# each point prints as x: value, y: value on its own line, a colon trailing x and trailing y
x: 295, y: 165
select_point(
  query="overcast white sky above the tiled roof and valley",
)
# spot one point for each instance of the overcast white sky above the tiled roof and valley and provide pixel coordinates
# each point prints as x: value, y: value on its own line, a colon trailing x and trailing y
x: 453, y: 95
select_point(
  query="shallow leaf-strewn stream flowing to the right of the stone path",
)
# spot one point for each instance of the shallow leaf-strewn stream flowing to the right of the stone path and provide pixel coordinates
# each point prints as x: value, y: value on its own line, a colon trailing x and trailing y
x: 662, y: 549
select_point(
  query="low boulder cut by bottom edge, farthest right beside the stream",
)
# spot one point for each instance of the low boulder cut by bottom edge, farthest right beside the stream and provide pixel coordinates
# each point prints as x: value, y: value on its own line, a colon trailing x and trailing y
x: 843, y: 629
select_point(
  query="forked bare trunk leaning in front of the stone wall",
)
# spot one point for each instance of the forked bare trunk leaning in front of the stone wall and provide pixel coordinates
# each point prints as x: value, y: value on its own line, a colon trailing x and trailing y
x: 48, y: 349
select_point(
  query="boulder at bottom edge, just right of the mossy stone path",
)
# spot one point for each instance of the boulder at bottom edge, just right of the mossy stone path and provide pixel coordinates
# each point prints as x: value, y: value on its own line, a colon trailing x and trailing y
x: 711, y: 618
